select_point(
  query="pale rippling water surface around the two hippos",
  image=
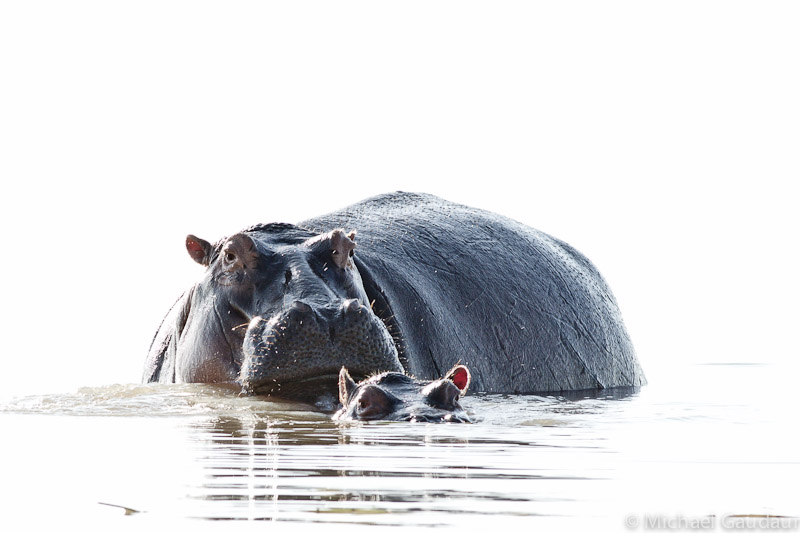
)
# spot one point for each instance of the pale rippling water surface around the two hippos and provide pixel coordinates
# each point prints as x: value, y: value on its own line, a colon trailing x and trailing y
x: 198, y: 451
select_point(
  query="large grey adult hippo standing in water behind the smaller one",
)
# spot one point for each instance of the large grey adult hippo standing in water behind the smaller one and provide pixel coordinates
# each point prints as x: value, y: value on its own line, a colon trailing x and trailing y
x: 283, y: 307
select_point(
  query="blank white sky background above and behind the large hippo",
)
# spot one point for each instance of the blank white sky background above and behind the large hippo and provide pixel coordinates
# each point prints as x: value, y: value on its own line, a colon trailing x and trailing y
x: 662, y: 139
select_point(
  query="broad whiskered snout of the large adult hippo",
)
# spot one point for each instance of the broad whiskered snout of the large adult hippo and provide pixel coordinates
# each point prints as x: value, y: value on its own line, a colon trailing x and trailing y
x: 284, y: 352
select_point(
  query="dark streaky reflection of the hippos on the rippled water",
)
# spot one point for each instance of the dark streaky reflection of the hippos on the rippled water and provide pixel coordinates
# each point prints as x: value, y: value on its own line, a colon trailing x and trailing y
x: 311, y: 470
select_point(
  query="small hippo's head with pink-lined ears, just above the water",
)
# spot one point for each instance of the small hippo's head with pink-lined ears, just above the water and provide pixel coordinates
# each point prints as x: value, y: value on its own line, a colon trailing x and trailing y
x: 396, y: 396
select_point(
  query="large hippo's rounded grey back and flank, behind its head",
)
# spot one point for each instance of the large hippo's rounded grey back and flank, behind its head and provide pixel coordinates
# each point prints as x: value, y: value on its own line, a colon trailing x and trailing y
x: 525, y: 311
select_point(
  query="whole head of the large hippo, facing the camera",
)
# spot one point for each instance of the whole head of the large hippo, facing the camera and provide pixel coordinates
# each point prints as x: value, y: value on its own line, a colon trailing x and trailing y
x: 279, y: 311
